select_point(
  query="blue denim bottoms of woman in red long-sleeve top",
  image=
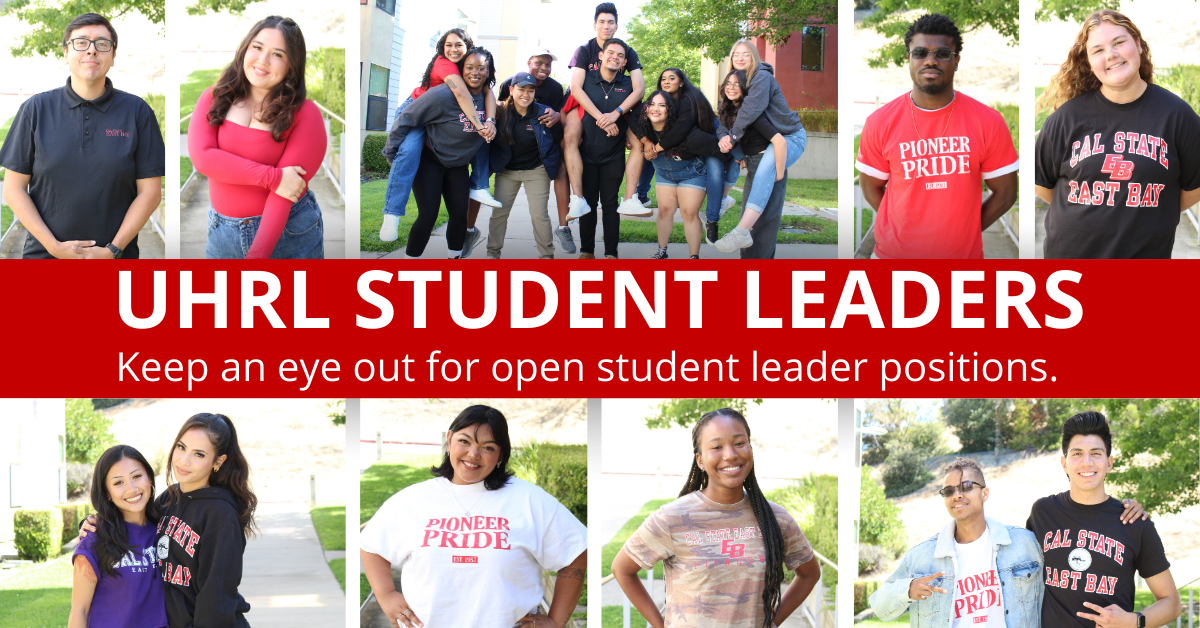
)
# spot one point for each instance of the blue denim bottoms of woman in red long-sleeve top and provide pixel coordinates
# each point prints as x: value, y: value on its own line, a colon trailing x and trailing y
x: 303, y: 238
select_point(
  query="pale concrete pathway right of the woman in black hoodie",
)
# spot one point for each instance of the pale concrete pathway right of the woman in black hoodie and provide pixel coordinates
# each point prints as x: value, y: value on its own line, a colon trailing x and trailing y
x: 285, y: 576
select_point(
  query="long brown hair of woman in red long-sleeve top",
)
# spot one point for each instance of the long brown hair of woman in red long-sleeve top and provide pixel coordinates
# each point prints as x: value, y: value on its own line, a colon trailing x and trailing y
x: 285, y: 100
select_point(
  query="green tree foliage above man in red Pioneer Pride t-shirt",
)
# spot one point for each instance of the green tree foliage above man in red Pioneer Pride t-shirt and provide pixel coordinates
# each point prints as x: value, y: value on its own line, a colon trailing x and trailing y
x: 891, y: 21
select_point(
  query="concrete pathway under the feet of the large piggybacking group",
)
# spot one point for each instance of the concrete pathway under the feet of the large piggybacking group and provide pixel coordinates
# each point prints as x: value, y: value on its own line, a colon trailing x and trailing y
x: 519, y: 243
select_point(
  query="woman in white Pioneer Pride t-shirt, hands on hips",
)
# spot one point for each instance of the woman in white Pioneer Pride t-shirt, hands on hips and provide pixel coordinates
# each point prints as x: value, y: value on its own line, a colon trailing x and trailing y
x: 472, y: 543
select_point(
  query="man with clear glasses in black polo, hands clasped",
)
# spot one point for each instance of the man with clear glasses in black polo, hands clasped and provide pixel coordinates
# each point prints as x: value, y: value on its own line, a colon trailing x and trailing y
x: 85, y: 162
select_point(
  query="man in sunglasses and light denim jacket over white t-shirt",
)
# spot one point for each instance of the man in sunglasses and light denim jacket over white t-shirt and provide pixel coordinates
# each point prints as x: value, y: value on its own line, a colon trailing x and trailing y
x: 976, y: 572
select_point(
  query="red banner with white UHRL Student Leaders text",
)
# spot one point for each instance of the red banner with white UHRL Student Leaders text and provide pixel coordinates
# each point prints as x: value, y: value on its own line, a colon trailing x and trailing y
x: 371, y: 330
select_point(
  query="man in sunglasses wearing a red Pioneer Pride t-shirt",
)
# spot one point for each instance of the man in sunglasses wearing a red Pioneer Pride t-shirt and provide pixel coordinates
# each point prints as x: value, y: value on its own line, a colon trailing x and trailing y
x: 925, y: 157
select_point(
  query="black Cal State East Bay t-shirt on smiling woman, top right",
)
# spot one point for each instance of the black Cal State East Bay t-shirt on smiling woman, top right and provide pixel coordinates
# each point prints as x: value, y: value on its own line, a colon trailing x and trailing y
x: 1117, y: 172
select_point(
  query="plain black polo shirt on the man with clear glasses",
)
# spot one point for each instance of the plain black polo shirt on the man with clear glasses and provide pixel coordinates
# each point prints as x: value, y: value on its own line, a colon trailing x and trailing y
x: 85, y: 160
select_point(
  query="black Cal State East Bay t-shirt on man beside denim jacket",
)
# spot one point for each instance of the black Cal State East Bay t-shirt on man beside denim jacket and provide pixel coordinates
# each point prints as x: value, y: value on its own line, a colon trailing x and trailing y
x: 1090, y: 557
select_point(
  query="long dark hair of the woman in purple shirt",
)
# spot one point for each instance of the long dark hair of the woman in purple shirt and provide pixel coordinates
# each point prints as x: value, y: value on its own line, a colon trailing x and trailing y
x: 112, y: 541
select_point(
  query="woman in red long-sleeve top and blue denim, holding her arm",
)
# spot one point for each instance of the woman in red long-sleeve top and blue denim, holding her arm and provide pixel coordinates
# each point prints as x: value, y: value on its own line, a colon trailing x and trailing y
x: 260, y: 142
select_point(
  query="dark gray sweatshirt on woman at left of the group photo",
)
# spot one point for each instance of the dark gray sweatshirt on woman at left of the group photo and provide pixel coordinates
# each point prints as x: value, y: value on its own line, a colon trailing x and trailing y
x: 448, y: 133
